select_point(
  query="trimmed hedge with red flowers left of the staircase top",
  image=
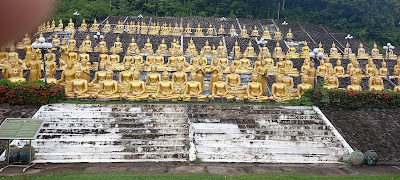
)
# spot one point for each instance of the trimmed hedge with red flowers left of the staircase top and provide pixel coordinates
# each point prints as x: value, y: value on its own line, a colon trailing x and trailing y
x: 25, y: 93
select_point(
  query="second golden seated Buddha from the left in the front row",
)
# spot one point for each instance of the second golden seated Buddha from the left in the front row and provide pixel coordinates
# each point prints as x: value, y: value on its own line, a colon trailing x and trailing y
x: 108, y: 88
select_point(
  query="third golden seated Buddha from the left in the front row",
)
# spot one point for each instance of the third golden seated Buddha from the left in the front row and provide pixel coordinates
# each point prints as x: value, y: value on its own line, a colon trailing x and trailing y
x: 136, y: 88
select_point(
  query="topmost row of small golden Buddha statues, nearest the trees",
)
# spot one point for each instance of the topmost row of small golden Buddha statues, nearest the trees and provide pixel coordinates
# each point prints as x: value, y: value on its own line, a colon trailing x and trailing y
x: 163, y: 29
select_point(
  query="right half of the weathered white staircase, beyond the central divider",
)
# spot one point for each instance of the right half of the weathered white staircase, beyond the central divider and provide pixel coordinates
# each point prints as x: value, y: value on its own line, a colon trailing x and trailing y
x: 264, y: 134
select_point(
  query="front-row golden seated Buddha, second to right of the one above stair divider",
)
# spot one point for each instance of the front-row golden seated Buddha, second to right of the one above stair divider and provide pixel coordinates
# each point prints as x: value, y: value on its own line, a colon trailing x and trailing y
x: 254, y: 90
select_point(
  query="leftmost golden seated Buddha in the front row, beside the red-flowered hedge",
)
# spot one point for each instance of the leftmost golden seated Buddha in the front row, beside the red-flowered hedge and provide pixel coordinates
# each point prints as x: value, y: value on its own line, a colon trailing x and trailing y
x: 78, y: 87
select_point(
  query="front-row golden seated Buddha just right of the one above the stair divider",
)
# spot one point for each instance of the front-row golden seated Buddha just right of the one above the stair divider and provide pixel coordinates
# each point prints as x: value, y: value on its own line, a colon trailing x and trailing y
x: 220, y: 89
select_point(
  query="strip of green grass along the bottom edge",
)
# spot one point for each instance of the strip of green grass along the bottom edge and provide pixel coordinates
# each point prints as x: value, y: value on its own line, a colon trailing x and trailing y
x: 124, y: 175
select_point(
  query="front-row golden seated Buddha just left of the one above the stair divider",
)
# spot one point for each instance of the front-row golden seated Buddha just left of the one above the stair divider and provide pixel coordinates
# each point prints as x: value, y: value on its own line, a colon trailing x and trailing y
x: 165, y: 89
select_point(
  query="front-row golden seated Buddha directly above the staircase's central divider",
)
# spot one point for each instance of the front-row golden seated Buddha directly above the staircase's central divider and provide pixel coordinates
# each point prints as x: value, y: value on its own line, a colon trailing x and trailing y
x: 192, y: 90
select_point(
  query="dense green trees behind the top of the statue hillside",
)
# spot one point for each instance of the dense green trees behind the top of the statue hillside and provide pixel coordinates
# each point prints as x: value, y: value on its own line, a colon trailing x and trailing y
x: 372, y: 20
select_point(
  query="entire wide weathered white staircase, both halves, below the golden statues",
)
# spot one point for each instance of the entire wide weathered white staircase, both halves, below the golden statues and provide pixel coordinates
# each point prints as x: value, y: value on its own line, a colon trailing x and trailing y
x: 182, y: 132
